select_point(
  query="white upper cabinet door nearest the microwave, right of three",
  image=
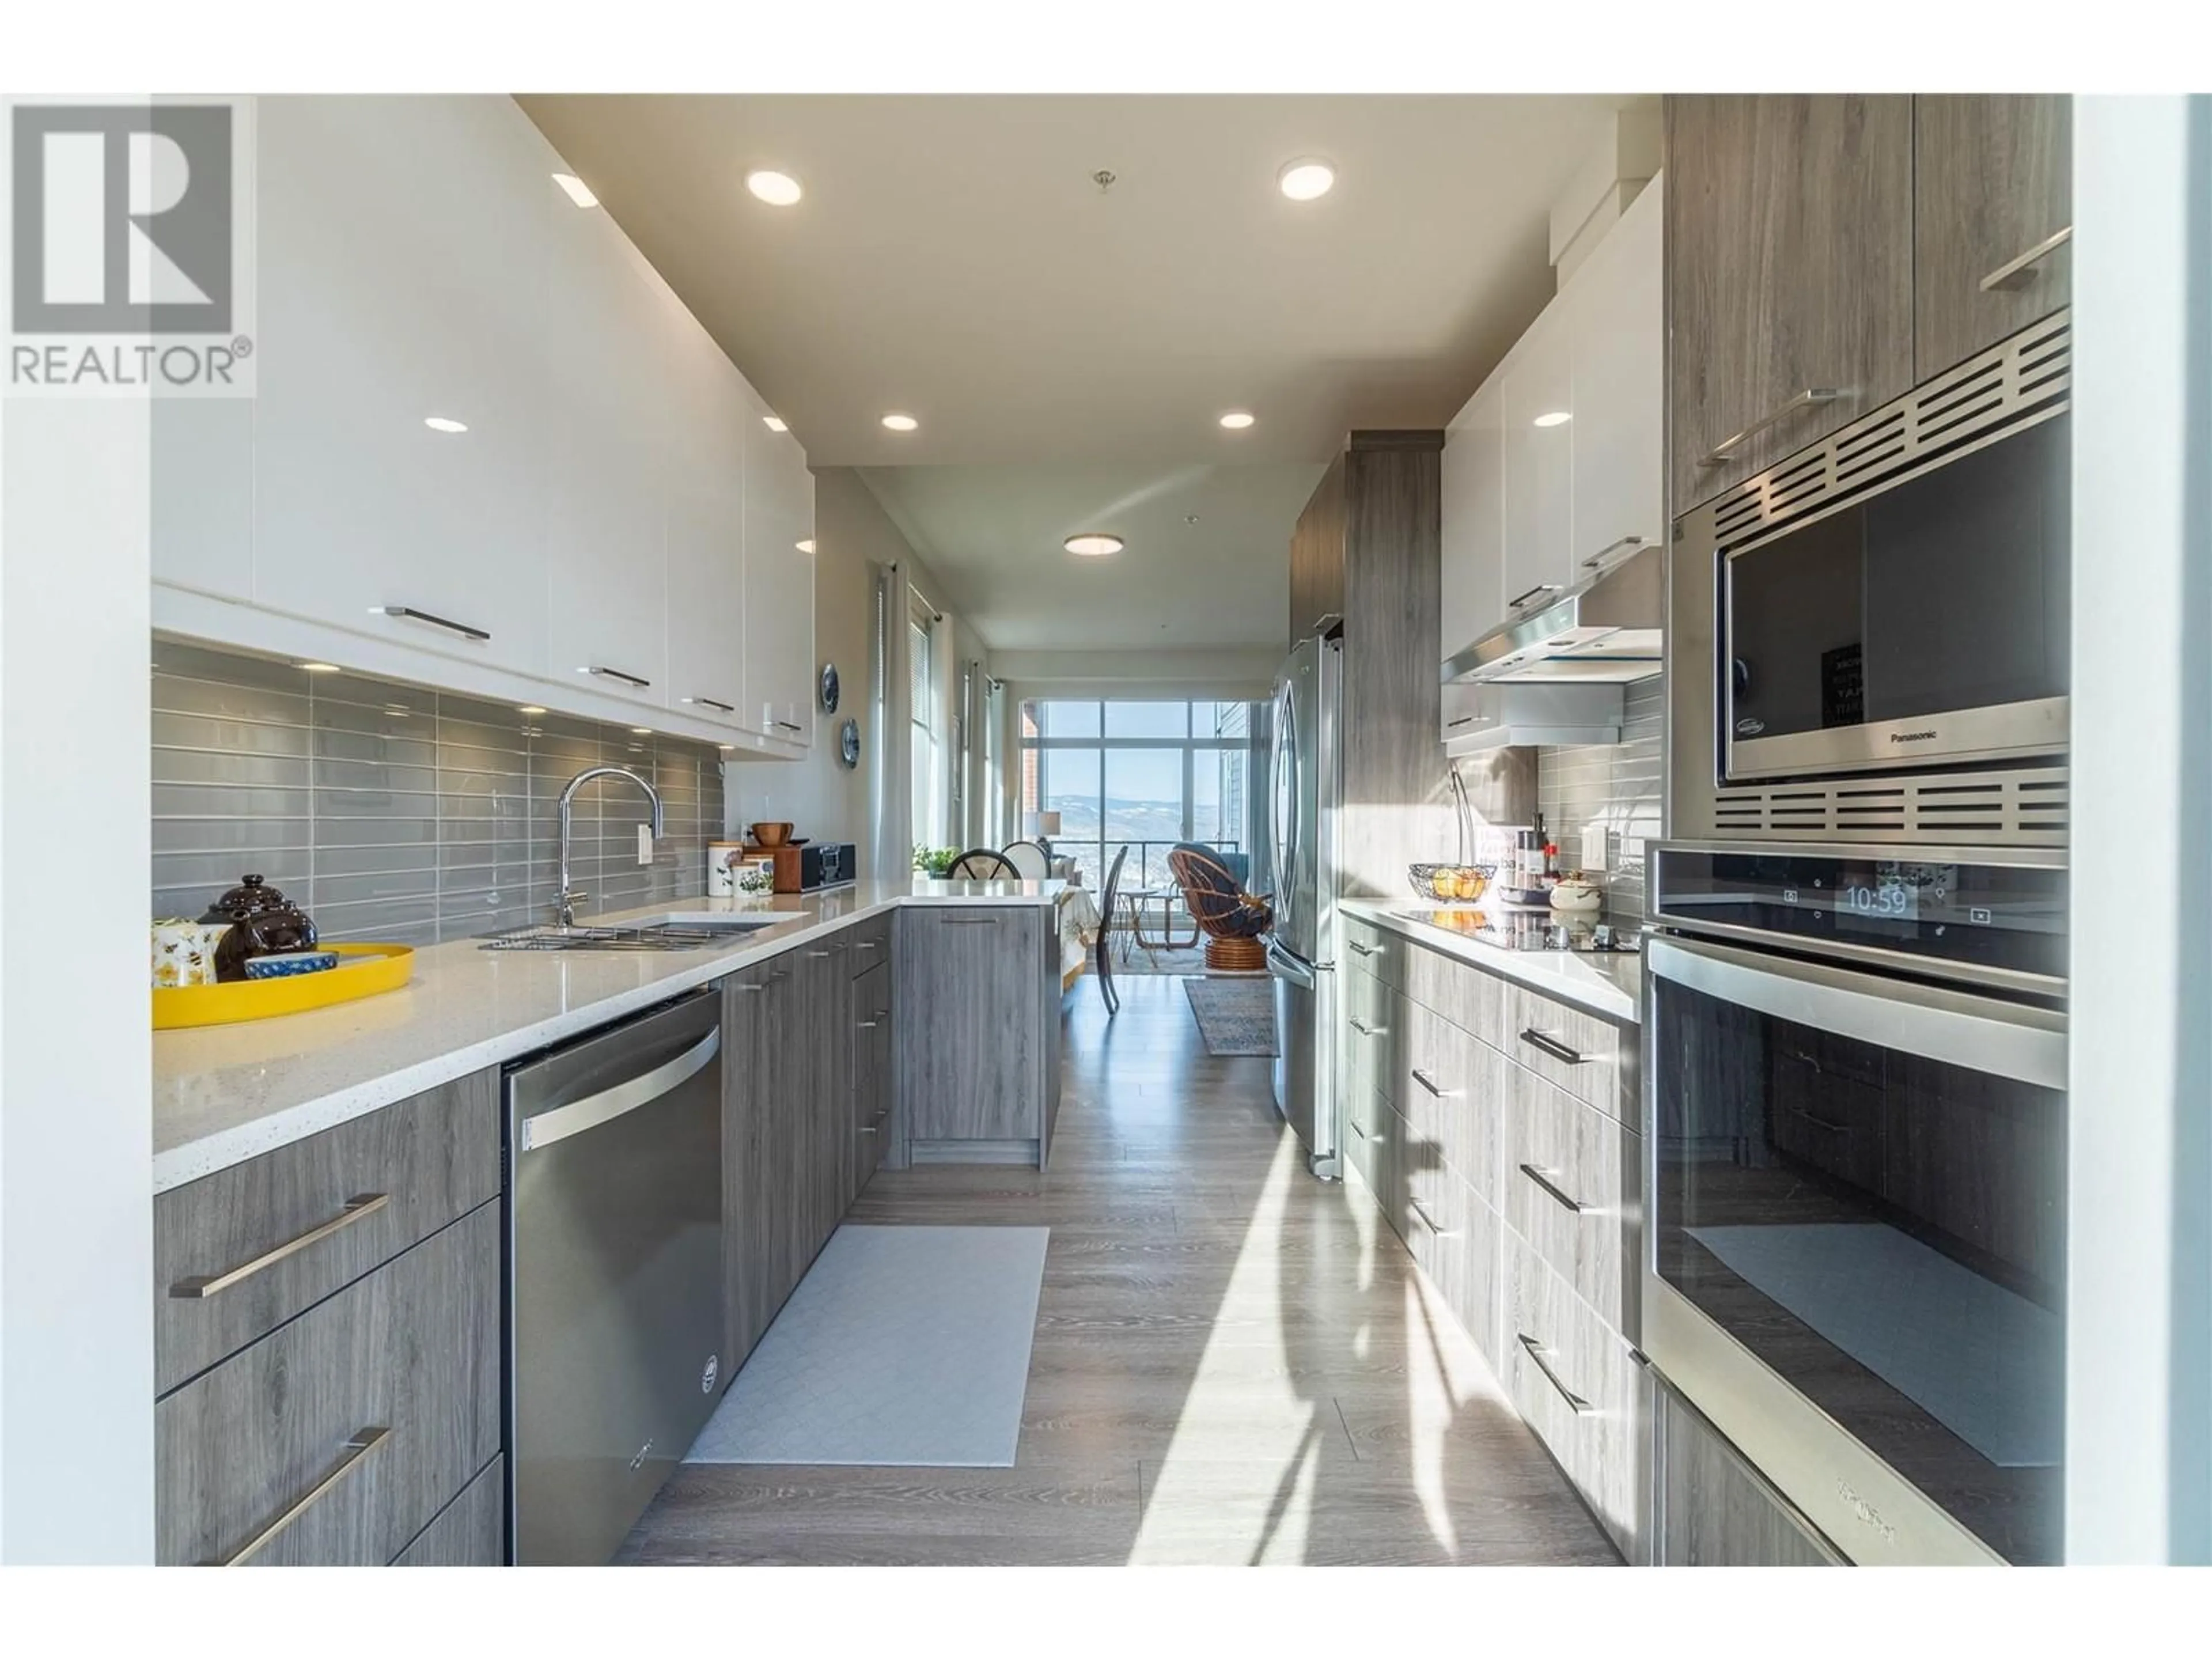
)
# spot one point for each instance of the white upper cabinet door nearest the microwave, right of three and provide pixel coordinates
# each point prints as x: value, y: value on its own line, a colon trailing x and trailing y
x: 1620, y: 390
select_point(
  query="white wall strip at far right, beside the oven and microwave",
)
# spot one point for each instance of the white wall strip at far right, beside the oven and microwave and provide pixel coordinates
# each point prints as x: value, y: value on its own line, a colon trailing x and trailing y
x: 2140, y: 1092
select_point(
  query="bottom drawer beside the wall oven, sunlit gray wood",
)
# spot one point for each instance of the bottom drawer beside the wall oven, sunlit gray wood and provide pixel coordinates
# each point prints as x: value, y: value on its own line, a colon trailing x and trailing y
x: 1580, y: 1388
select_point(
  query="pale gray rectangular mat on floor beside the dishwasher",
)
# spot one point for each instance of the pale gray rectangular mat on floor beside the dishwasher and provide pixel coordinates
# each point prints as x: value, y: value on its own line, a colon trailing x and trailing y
x: 901, y: 1348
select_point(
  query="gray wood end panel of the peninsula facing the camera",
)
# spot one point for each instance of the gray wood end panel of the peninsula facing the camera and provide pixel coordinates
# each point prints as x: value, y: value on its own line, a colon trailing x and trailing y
x: 979, y: 1034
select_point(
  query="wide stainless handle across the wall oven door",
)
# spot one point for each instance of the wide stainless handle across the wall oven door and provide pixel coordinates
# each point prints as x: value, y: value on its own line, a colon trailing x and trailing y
x: 1979, y: 1034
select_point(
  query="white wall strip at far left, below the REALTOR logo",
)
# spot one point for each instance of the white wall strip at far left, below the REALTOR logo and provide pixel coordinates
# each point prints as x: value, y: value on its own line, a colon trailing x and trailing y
x: 76, y: 1054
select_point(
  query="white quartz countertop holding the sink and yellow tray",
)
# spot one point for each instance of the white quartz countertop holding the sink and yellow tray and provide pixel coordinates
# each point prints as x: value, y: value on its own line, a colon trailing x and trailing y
x: 229, y: 1094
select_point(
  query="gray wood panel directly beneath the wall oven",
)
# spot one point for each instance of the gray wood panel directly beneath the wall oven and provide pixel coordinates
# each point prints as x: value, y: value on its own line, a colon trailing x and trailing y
x: 1713, y: 1510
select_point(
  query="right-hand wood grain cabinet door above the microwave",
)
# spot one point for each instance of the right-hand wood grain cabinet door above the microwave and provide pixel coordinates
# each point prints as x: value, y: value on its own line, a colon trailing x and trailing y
x: 1992, y: 185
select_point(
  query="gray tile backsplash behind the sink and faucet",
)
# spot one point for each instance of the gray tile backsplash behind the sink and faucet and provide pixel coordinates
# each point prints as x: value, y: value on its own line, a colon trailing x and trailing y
x: 399, y: 813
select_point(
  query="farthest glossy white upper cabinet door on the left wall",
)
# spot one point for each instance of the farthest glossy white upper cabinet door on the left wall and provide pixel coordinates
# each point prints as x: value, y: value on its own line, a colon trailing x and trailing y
x: 780, y: 583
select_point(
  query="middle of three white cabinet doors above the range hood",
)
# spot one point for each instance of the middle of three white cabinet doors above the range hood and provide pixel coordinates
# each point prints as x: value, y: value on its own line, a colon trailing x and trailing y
x: 1541, y: 461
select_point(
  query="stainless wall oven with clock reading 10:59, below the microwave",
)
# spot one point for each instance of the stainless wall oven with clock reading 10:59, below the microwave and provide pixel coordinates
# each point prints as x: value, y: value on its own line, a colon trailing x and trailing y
x: 1857, y: 1173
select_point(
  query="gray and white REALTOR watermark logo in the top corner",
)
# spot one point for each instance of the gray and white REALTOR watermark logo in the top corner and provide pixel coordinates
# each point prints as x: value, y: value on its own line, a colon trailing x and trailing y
x: 132, y: 251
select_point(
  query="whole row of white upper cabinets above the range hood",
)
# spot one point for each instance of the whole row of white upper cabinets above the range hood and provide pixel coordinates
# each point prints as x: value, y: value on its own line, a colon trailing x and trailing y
x: 1556, y: 466
